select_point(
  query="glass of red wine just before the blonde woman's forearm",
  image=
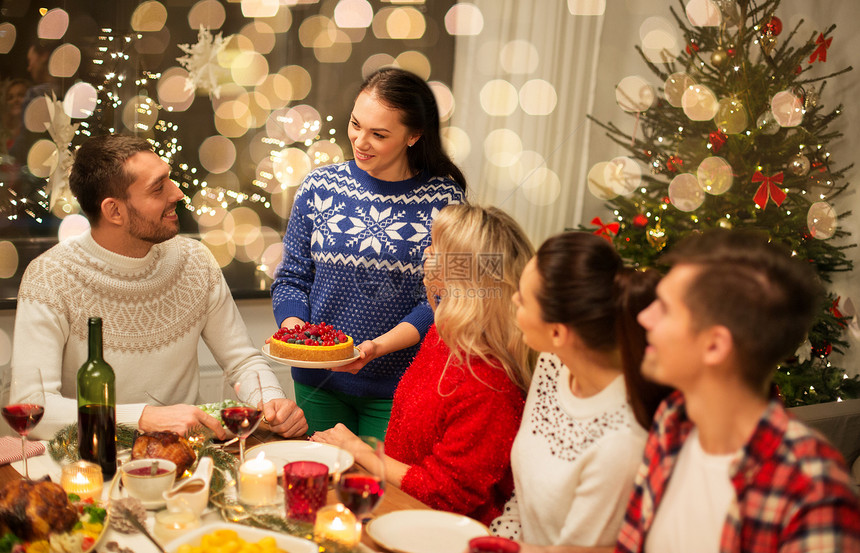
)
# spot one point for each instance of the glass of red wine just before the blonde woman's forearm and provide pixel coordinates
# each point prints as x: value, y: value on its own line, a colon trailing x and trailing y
x: 360, y: 489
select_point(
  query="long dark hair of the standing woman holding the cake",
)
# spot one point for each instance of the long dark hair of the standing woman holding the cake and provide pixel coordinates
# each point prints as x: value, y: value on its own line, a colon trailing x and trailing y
x: 412, y: 97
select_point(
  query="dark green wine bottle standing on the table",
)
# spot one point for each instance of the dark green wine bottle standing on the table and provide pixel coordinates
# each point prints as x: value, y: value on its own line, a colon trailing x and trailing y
x: 97, y: 405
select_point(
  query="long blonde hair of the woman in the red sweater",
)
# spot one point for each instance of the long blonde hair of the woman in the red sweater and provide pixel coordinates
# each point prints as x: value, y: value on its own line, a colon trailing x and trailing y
x: 483, y: 252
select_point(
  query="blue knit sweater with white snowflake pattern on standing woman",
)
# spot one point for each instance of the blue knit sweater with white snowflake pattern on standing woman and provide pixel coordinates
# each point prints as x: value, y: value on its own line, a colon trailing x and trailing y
x: 353, y: 256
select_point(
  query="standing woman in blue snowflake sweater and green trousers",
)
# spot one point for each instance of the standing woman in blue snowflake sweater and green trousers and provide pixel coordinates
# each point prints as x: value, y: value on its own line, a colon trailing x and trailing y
x: 353, y: 250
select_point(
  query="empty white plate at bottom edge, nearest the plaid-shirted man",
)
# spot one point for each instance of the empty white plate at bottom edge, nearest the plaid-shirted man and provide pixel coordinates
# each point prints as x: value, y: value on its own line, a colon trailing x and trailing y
x: 424, y: 531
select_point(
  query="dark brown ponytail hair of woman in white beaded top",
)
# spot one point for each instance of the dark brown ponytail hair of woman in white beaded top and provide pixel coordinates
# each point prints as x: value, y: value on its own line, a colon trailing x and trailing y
x: 585, y: 285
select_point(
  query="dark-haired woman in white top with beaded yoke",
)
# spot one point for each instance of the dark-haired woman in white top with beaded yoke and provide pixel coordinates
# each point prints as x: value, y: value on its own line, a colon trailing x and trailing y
x: 588, y: 408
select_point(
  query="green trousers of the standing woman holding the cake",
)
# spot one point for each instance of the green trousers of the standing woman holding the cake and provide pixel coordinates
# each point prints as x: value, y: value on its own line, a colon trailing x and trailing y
x: 364, y: 416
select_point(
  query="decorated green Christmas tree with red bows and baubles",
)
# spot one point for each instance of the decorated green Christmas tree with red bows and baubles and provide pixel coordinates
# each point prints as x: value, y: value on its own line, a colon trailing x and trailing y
x: 735, y: 138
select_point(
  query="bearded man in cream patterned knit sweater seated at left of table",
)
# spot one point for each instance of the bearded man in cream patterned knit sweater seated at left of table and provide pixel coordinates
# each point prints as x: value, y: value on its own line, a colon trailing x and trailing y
x: 157, y: 294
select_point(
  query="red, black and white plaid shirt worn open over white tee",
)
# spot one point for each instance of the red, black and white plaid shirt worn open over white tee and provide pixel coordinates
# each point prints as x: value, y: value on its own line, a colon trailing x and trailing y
x: 793, y: 493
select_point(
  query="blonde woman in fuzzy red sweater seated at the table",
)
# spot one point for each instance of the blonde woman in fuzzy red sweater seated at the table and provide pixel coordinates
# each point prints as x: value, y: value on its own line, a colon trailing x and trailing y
x: 458, y: 406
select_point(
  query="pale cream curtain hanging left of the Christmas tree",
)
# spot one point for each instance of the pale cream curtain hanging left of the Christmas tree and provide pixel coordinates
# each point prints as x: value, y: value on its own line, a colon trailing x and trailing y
x: 530, y: 163
